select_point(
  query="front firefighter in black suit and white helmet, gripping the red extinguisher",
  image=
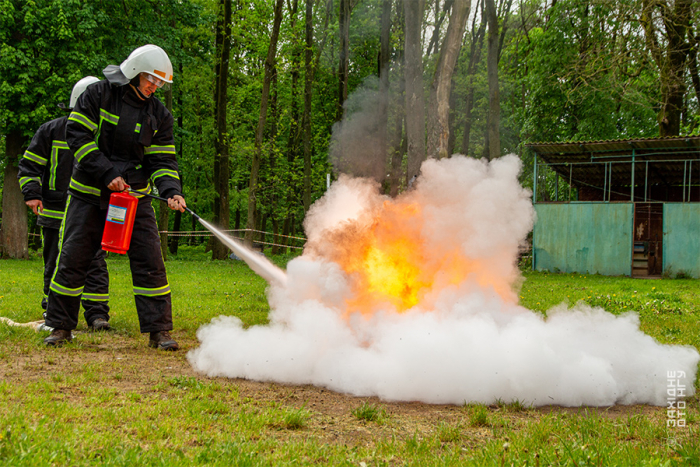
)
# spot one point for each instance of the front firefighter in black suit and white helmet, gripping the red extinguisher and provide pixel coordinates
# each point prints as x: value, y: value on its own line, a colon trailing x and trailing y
x: 122, y: 138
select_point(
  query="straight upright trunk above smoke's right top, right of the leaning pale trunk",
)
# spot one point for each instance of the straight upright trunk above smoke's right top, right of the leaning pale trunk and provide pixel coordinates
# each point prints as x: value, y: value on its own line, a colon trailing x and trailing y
x: 494, y: 115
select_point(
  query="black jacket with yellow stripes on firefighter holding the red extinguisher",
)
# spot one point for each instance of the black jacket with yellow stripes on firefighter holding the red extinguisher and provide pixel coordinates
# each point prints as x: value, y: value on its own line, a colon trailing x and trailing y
x: 113, y: 133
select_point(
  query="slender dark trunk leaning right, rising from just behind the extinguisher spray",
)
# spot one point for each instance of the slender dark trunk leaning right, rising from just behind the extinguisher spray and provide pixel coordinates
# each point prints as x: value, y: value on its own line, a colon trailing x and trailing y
x: 257, y: 153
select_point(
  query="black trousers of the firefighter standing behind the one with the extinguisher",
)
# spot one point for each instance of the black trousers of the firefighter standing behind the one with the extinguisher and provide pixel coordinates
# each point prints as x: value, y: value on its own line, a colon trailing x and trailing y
x: 96, y: 282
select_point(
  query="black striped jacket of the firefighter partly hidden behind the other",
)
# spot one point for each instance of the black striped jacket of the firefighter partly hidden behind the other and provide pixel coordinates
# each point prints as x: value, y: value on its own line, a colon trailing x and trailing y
x: 45, y: 171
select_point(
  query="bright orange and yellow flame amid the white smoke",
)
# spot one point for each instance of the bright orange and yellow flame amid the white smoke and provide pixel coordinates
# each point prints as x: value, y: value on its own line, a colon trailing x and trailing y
x: 390, y: 262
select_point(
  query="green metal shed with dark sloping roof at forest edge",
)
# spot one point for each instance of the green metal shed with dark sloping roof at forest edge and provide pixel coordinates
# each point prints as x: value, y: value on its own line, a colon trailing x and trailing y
x: 622, y: 207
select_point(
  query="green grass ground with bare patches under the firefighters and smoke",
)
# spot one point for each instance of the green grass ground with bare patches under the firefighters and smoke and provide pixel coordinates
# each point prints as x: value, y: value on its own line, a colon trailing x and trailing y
x: 108, y: 399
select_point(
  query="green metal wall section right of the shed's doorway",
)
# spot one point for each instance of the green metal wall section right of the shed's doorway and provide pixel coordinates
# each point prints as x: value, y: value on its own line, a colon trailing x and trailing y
x: 682, y: 238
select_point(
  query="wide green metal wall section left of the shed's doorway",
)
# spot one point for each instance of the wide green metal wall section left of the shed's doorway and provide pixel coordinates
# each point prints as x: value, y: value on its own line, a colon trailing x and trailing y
x: 584, y: 237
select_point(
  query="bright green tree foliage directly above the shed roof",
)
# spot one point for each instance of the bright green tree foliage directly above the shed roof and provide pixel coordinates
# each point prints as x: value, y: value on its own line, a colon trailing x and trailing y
x: 585, y: 77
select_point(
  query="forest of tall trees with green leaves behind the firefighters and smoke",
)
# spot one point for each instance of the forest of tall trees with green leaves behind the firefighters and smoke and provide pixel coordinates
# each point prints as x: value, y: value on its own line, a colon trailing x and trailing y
x: 273, y: 98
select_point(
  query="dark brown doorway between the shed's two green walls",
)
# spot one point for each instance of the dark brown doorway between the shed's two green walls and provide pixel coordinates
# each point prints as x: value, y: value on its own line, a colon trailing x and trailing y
x: 647, y: 246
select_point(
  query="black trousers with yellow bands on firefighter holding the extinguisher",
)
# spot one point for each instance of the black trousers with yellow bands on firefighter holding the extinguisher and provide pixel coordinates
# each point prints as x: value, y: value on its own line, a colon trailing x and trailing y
x: 81, y: 240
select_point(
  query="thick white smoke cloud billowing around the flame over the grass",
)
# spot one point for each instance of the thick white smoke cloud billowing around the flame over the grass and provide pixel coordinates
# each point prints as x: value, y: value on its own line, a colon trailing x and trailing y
x: 466, y: 341
